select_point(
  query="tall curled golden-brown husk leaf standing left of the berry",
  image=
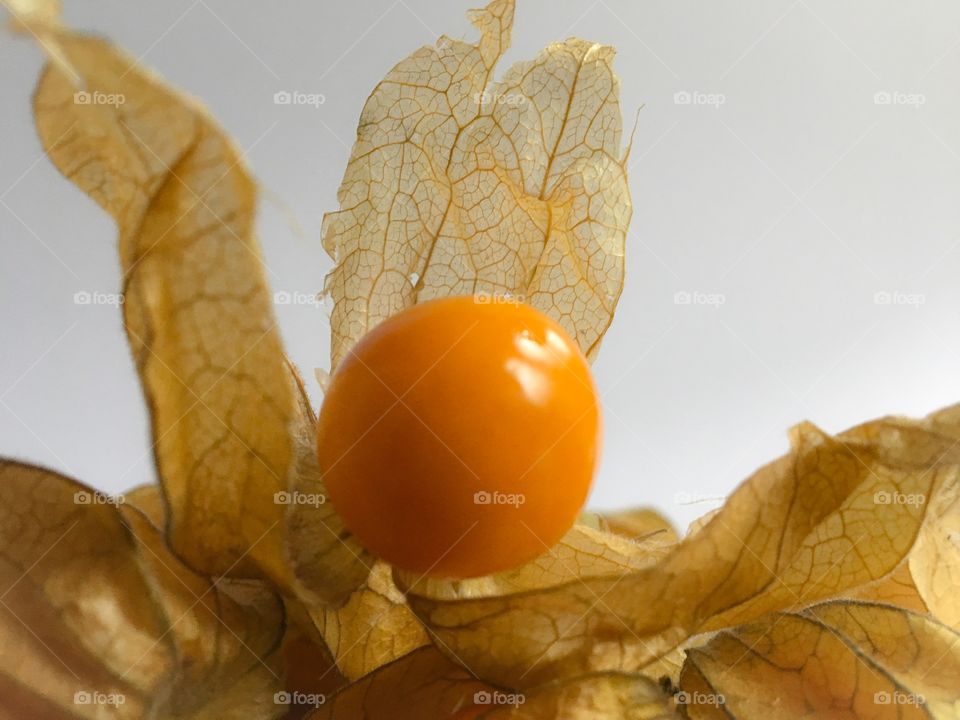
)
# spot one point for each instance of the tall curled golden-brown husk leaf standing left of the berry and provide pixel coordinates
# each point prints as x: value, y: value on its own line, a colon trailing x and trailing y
x: 197, y: 311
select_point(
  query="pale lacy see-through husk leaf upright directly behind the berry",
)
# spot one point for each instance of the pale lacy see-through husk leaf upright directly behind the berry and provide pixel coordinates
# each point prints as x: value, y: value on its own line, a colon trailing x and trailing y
x: 459, y: 185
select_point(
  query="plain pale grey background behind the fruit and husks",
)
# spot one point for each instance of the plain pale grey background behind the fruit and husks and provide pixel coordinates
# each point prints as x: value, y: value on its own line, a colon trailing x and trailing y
x: 784, y: 211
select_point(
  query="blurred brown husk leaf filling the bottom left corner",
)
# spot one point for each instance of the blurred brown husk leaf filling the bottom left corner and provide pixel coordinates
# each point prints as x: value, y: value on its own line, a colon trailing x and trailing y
x: 94, y: 603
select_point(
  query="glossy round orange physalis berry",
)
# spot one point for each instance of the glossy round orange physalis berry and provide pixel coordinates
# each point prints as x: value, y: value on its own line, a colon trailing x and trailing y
x: 460, y: 436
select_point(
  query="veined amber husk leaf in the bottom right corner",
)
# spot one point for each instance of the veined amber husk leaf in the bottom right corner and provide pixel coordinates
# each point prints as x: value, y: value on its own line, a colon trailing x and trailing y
x: 837, y: 659
